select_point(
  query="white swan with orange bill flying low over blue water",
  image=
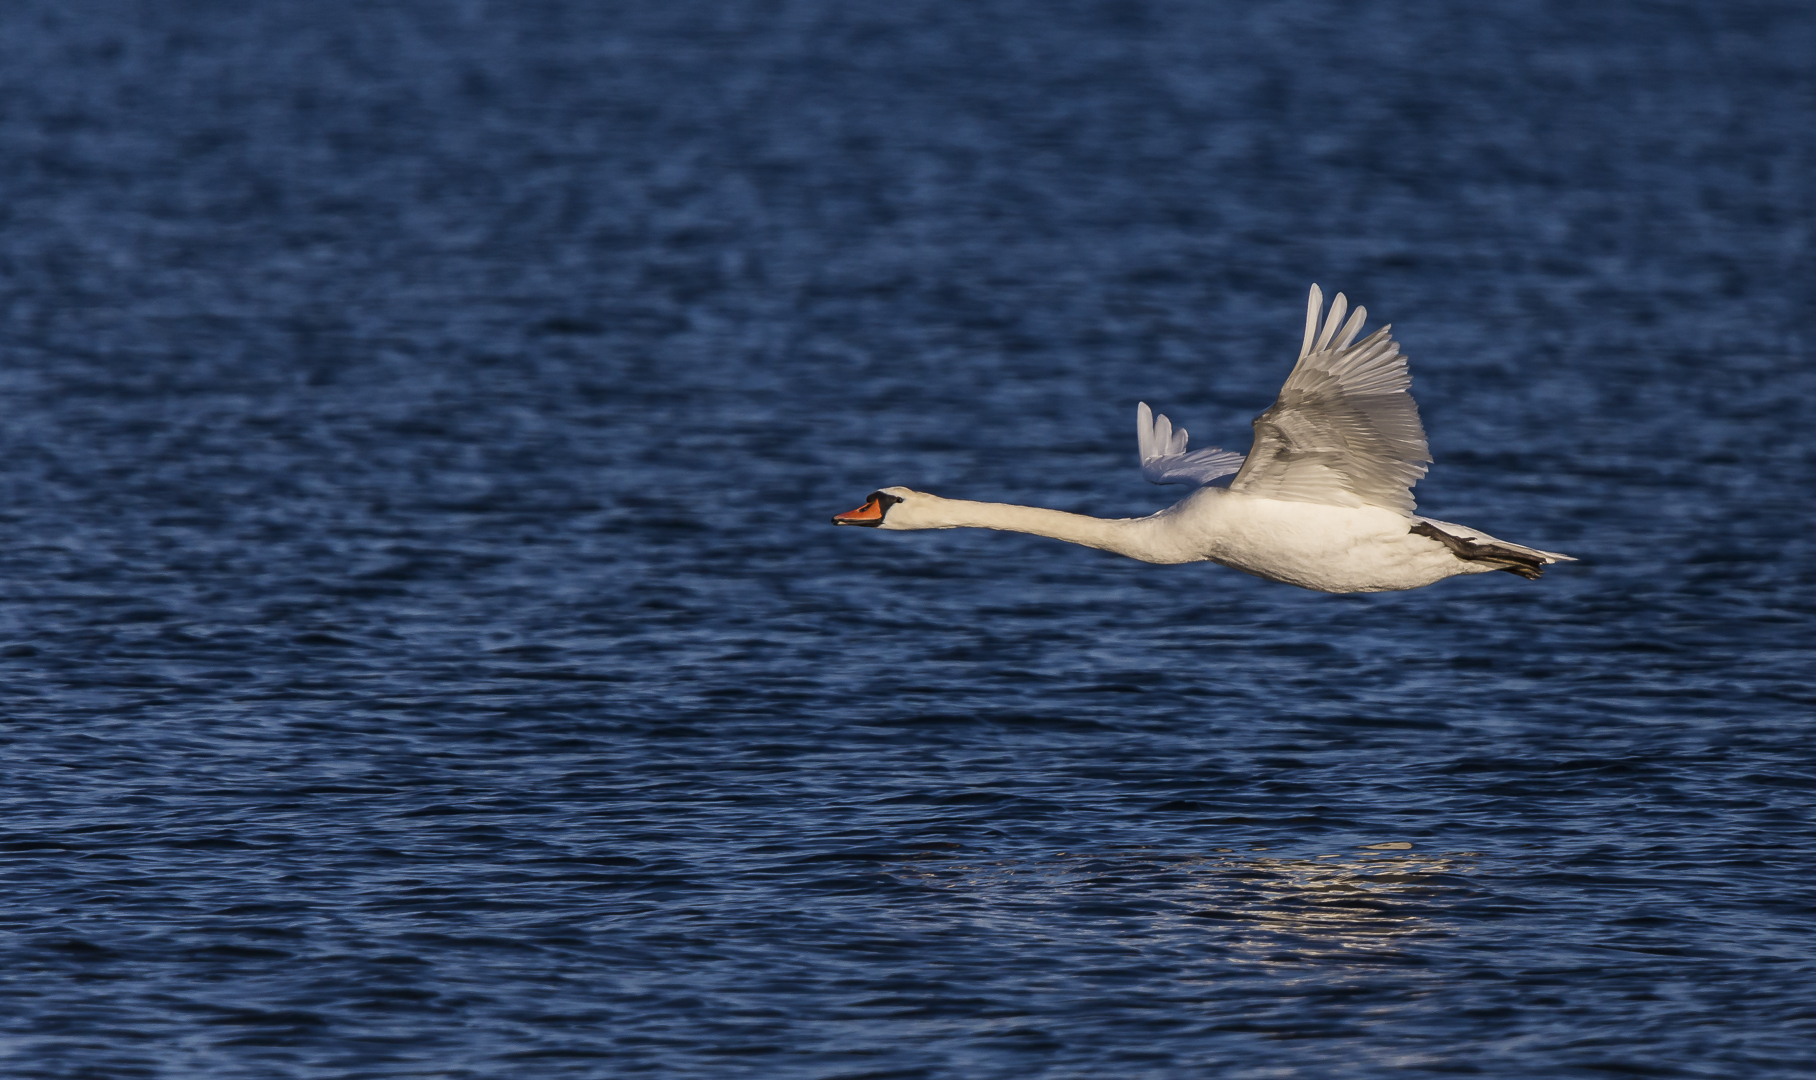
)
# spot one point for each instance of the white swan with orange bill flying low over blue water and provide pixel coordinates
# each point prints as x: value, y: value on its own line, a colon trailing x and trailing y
x: 1323, y: 500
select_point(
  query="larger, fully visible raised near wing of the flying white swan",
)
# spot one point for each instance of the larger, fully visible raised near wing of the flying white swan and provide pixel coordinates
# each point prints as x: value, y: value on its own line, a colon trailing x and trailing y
x: 1345, y: 431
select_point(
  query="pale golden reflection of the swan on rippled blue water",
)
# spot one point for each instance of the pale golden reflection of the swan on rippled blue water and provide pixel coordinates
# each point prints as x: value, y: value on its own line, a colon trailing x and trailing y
x: 1359, y: 907
